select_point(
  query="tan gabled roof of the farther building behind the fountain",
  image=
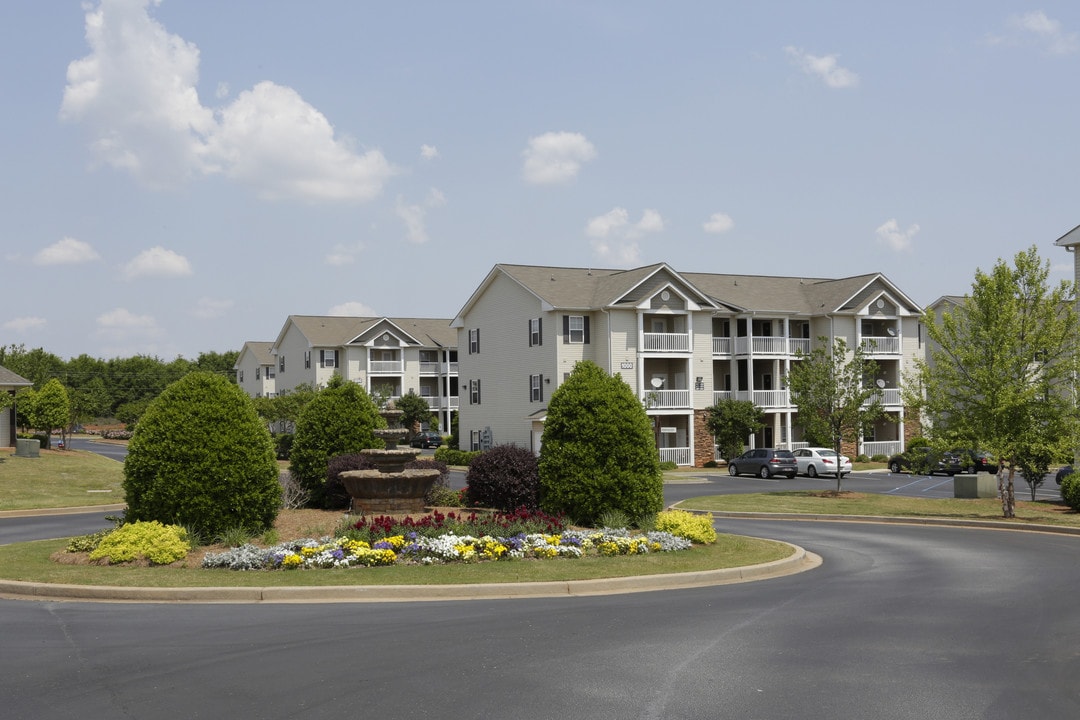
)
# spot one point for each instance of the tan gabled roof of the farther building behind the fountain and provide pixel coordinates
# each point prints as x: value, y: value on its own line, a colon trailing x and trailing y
x: 336, y: 332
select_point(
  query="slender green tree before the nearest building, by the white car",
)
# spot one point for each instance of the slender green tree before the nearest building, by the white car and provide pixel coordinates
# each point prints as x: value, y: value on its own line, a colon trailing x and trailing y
x: 828, y: 386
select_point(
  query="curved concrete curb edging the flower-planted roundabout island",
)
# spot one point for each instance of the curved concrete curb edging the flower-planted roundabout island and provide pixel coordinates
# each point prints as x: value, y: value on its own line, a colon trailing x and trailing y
x: 801, y: 561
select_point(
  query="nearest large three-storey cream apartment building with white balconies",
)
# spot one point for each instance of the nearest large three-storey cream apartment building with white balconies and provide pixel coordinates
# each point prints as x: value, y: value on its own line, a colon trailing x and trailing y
x: 682, y: 342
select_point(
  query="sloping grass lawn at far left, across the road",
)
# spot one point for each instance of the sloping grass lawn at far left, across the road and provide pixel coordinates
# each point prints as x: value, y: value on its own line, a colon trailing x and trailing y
x: 60, y: 479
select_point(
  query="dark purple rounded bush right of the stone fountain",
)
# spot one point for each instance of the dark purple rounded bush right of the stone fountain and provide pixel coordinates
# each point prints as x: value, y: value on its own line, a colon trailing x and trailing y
x: 506, y: 479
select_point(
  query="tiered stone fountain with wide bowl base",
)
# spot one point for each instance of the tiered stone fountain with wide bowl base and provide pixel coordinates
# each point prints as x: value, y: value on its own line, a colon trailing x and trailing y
x: 389, y: 490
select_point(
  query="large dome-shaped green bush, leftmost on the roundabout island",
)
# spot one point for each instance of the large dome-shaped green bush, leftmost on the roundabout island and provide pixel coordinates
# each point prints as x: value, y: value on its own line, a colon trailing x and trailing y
x: 202, y: 458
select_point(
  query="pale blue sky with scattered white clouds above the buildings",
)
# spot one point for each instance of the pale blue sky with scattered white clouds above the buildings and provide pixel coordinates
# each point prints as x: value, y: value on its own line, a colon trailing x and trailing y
x: 180, y: 176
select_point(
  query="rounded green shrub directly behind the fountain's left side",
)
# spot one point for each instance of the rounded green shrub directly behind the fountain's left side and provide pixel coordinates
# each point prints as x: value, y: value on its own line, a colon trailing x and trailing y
x: 340, y: 420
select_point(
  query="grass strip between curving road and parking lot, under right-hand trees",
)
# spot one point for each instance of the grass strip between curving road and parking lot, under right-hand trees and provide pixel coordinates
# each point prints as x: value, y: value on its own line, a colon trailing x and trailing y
x: 825, y: 502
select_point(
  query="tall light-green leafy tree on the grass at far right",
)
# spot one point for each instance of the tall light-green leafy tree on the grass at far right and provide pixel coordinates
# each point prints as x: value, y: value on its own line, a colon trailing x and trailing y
x: 1002, y: 369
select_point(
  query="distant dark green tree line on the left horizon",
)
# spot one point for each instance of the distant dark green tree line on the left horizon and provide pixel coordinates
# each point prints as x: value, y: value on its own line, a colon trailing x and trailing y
x: 118, y: 389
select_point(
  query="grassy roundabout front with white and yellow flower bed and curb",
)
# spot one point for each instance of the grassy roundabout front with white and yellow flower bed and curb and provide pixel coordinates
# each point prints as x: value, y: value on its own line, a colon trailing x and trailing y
x: 589, y: 563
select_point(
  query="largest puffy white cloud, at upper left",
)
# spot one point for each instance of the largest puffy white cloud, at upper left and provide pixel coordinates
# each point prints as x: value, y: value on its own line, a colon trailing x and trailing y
x: 136, y: 94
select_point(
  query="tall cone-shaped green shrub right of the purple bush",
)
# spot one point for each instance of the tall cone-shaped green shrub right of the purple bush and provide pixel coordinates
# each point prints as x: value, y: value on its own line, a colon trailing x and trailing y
x: 599, y: 450
